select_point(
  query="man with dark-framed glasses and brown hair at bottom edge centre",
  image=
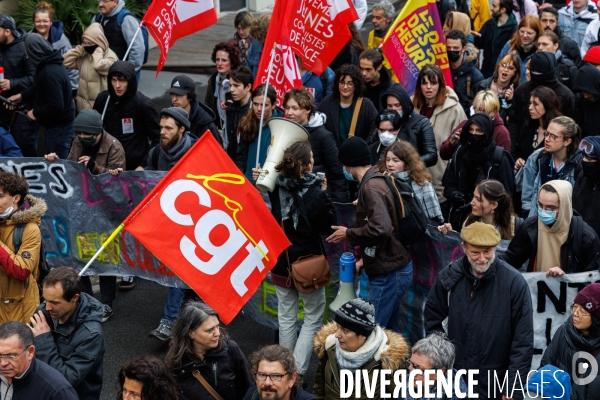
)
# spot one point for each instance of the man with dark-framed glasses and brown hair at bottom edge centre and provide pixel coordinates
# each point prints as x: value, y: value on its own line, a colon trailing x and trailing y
x: 274, y: 370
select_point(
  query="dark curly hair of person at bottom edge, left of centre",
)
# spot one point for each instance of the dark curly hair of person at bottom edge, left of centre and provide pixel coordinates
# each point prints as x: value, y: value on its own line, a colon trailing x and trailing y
x: 157, y: 381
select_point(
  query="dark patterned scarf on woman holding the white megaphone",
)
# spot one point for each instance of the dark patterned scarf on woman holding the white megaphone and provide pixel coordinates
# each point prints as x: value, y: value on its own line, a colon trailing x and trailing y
x: 291, y: 192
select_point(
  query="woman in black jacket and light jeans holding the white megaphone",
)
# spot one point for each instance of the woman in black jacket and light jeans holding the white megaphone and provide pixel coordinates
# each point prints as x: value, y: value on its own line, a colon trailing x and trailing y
x: 305, y: 212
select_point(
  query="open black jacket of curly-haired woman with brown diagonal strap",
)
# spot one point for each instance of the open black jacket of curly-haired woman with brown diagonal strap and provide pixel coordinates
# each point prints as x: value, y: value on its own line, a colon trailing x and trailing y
x: 330, y: 106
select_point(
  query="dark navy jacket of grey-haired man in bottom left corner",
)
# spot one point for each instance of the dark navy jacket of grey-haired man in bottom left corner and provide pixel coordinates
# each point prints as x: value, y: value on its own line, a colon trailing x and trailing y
x: 42, y: 382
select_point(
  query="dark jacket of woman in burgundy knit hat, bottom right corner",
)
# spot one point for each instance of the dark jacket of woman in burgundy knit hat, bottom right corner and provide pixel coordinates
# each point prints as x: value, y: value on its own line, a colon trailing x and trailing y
x: 566, y: 342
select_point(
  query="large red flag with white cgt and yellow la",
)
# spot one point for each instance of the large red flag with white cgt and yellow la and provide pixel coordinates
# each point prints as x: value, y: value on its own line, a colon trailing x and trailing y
x: 210, y: 226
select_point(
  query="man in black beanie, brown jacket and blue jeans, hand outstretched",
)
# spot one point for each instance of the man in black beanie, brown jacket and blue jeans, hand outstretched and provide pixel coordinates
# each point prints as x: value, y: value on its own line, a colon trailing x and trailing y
x: 386, y: 261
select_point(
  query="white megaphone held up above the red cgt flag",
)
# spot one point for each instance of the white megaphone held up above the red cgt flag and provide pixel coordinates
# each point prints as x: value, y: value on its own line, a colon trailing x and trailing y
x: 283, y: 133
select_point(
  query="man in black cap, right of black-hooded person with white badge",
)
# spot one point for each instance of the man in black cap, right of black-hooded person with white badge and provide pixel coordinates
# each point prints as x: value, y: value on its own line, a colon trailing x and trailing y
x: 201, y: 117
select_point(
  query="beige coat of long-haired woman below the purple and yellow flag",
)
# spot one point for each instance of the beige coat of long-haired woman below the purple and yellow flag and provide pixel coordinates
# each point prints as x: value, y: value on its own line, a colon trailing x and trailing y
x: 443, y: 121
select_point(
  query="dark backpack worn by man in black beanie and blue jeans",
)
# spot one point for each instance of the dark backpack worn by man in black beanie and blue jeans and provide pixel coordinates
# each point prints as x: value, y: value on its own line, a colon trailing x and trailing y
x: 412, y: 221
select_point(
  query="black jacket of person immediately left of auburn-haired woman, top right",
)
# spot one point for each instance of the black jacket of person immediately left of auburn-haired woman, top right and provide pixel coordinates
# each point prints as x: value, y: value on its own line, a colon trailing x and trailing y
x: 493, y: 37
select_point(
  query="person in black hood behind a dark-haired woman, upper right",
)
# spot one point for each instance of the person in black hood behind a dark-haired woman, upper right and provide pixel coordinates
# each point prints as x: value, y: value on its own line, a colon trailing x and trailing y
x: 543, y: 73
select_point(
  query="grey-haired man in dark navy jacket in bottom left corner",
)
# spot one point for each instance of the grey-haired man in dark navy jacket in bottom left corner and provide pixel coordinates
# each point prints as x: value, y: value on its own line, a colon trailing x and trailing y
x: 22, y: 375
